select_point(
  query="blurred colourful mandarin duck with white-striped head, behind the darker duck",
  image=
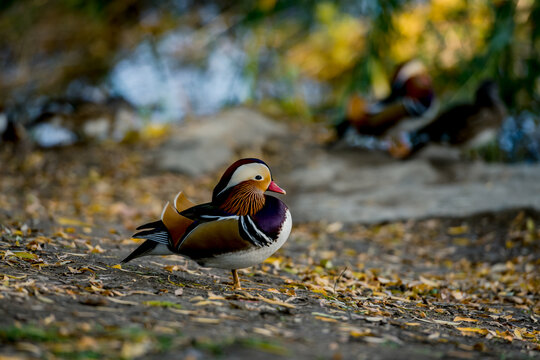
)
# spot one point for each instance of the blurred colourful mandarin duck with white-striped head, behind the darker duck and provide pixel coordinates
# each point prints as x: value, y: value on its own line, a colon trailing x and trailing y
x: 411, y: 96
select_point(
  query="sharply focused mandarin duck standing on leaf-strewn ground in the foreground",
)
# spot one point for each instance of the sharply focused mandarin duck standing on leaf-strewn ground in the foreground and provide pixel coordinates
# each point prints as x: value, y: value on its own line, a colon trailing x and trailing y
x: 239, y: 228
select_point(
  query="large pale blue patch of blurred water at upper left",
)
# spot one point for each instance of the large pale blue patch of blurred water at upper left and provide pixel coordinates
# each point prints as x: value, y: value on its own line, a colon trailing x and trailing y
x: 157, y: 77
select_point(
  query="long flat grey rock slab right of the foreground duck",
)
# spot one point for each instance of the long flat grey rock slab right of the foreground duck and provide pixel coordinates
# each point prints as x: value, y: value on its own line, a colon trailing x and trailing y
x: 341, y: 188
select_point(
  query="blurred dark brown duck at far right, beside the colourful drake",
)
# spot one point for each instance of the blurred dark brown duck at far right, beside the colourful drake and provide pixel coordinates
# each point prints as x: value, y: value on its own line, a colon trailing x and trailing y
x: 467, y: 125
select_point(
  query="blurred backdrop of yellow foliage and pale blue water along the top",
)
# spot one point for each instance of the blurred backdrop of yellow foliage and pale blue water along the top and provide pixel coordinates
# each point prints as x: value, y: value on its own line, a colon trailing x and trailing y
x: 302, y: 59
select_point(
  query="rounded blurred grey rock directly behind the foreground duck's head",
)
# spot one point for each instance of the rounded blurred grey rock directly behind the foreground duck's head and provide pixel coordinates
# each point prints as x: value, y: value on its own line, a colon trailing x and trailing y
x: 207, y: 144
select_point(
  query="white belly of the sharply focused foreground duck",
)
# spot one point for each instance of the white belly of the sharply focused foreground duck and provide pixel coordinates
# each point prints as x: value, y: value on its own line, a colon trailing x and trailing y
x: 247, y: 258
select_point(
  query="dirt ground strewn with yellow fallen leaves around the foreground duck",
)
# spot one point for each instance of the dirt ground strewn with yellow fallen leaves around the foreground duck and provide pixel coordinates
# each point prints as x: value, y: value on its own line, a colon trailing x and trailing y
x: 431, y: 289
